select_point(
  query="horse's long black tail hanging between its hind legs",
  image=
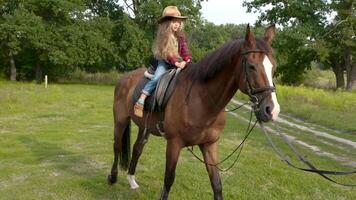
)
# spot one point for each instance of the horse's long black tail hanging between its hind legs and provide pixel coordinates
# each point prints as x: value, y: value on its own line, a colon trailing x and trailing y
x: 125, y: 153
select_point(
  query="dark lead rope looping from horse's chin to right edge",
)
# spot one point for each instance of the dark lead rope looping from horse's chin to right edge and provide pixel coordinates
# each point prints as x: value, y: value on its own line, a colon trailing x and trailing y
x: 312, y: 168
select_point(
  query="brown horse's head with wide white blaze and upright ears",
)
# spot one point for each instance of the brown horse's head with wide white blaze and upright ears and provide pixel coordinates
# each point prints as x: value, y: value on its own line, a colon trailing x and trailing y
x: 258, y: 69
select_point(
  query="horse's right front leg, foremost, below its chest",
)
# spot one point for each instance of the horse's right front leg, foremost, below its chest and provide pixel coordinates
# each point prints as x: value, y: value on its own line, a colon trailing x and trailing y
x: 210, y: 154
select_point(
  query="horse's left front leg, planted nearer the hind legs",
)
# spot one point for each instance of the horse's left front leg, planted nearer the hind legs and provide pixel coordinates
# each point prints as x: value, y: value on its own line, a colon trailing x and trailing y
x: 172, y: 154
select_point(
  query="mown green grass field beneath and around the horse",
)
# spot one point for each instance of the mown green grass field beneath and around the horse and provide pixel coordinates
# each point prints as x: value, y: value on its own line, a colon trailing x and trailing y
x: 56, y: 143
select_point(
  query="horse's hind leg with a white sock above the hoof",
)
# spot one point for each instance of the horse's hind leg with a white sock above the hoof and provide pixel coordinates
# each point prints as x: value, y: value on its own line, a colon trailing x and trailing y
x: 136, y: 153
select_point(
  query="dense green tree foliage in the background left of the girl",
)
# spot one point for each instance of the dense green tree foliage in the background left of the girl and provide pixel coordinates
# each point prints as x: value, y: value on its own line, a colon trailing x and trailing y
x: 87, y: 34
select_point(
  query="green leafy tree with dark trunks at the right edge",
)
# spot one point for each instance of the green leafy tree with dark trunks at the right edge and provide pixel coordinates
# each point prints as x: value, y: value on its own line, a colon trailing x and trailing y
x: 337, y: 44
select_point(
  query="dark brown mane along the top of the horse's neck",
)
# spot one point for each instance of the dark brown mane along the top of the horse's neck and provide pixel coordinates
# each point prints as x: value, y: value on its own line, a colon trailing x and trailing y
x: 215, y: 61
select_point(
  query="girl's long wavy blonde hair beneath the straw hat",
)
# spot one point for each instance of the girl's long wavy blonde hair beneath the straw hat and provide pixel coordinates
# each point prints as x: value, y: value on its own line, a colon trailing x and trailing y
x: 166, y: 44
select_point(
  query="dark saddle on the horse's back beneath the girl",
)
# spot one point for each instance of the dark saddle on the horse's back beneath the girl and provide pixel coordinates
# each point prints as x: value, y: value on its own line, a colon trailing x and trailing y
x: 164, y: 89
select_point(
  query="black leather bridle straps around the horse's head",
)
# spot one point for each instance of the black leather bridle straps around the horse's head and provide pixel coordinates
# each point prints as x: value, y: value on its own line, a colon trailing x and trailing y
x: 250, y: 90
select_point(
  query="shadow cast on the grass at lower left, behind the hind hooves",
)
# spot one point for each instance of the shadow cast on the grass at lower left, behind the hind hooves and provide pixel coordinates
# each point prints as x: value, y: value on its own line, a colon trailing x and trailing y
x: 78, y: 170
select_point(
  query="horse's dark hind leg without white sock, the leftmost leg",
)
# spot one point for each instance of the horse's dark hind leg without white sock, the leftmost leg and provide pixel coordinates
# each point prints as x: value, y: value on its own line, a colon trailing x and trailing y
x: 120, y: 129
